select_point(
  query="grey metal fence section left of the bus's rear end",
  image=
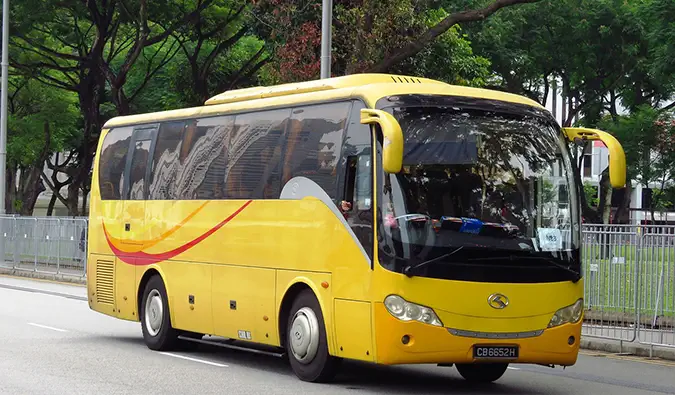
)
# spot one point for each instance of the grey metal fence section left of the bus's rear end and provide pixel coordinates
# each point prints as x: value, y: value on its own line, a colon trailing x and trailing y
x: 49, y: 245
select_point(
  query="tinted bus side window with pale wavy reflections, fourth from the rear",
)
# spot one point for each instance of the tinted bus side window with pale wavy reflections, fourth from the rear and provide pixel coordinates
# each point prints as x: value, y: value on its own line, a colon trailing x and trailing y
x: 202, y: 158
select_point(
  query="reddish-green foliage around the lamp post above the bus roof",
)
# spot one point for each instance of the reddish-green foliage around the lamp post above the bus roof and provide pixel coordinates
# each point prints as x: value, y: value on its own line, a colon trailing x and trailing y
x: 364, y: 33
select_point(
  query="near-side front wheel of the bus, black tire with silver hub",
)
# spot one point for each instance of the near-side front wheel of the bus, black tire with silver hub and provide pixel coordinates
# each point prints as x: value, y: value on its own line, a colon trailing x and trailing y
x: 306, y: 344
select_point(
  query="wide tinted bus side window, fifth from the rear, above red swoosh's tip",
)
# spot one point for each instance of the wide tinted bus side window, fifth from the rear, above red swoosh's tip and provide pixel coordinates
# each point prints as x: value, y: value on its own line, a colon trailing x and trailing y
x: 254, y: 155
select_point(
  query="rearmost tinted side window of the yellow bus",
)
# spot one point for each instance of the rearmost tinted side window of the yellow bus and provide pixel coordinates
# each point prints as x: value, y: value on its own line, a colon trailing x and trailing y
x: 113, y: 162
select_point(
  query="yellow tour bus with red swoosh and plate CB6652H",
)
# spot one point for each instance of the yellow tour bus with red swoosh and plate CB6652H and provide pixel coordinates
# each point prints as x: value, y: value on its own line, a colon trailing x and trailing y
x: 372, y: 217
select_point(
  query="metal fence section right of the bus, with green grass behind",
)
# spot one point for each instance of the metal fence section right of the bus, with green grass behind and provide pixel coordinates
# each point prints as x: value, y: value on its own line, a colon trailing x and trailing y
x: 630, y: 283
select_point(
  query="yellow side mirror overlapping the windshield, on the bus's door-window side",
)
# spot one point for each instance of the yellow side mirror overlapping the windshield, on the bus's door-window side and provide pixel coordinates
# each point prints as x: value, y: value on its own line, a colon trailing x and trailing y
x: 392, y: 147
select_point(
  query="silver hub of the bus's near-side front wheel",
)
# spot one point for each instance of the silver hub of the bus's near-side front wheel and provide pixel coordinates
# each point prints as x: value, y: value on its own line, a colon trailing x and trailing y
x: 304, y: 338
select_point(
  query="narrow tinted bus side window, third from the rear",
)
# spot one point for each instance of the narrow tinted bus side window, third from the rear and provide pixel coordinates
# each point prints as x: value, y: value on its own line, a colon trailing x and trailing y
x: 165, y: 161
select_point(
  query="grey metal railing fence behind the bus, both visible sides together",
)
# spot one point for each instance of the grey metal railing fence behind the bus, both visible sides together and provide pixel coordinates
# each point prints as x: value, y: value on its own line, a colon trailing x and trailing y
x: 629, y: 284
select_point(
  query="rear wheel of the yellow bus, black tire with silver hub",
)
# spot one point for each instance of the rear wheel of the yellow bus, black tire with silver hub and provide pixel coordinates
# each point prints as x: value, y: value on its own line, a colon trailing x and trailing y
x: 158, y: 333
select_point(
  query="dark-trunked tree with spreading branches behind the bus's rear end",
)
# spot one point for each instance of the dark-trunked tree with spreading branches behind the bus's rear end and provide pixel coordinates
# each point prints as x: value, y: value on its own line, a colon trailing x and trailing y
x: 89, y: 48
